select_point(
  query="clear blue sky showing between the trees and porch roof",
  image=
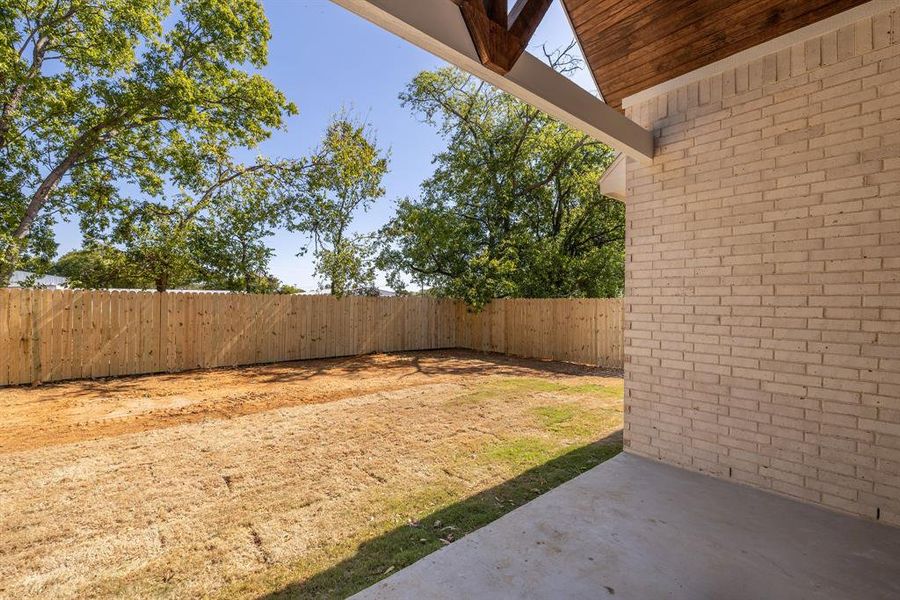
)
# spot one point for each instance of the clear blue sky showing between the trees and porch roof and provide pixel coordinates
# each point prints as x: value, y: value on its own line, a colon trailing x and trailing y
x: 325, y: 59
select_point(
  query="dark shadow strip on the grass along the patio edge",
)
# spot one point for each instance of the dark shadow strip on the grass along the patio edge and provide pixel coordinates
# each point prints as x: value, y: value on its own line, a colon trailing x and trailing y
x: 398, y: 548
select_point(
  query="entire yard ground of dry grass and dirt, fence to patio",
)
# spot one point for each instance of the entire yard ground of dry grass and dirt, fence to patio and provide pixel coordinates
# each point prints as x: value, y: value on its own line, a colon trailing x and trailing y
x: 301, y: 480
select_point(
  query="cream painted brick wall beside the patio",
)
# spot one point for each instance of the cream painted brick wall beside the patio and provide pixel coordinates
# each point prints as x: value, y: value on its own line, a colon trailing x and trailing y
x: 763, y: 274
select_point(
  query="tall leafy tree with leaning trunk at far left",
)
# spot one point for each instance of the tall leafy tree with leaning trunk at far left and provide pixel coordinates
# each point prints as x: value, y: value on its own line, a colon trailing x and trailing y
x: 94, y: 93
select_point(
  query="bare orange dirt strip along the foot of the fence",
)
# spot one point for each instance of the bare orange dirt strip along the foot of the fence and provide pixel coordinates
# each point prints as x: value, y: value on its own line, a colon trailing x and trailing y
x: 82, y: 410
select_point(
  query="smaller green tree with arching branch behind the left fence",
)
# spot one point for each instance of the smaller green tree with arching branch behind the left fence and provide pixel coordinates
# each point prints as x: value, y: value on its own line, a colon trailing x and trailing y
x: 180, y: 240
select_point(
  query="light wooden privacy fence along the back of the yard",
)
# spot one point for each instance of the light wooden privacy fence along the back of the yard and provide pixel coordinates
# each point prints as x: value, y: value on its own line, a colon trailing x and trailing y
x: 52, y: 335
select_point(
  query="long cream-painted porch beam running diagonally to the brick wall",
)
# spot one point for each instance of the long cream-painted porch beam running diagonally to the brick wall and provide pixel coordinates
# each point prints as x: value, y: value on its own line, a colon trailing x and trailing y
x: 438, y: 27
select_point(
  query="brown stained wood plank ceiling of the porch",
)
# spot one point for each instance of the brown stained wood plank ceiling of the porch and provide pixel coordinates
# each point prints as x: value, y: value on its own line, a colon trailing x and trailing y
x: 632, y: 45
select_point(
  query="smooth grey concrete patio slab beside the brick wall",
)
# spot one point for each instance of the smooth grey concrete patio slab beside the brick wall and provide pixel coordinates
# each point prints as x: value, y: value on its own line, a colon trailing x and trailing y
x: 634, y: 528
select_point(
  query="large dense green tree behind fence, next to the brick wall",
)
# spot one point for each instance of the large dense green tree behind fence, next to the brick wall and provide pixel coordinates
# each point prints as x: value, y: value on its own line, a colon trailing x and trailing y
x: 512, y: 208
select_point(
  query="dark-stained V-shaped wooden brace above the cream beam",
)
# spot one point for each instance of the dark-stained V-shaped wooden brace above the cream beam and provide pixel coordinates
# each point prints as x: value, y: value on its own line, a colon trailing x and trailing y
x: 500, y: 37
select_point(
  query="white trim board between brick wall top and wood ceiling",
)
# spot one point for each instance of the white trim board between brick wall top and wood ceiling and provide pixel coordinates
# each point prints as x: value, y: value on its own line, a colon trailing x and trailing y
x: 857, y: 13
